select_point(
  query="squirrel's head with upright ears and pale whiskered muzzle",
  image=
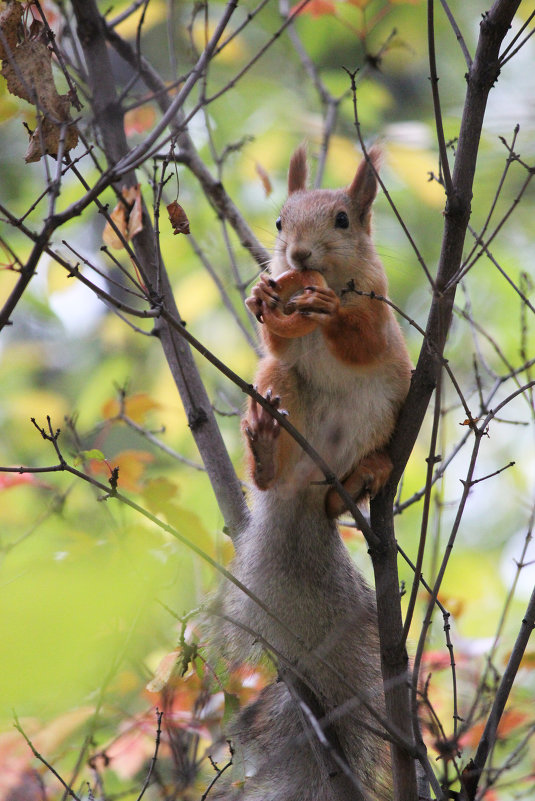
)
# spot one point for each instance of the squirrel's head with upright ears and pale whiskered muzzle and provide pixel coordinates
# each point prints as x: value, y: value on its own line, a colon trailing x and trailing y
x: 329, y: 230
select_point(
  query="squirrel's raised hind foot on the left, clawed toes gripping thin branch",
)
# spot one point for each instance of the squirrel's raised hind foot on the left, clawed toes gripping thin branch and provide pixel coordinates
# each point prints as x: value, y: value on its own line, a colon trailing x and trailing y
x: 262, y: 431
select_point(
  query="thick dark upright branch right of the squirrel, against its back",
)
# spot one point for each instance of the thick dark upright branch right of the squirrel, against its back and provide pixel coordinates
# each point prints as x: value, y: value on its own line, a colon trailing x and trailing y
x: 481, y: 77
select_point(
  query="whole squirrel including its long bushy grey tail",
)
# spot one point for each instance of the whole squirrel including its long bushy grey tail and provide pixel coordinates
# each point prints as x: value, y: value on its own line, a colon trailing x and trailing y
x: 336, y: 361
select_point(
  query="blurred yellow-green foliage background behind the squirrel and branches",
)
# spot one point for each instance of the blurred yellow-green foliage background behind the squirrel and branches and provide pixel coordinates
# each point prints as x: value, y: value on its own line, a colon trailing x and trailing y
x: 88, y: 588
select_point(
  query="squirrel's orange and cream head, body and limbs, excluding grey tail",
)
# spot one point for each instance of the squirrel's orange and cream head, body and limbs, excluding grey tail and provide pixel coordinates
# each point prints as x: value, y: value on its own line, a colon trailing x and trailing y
x: 343, y: 381
